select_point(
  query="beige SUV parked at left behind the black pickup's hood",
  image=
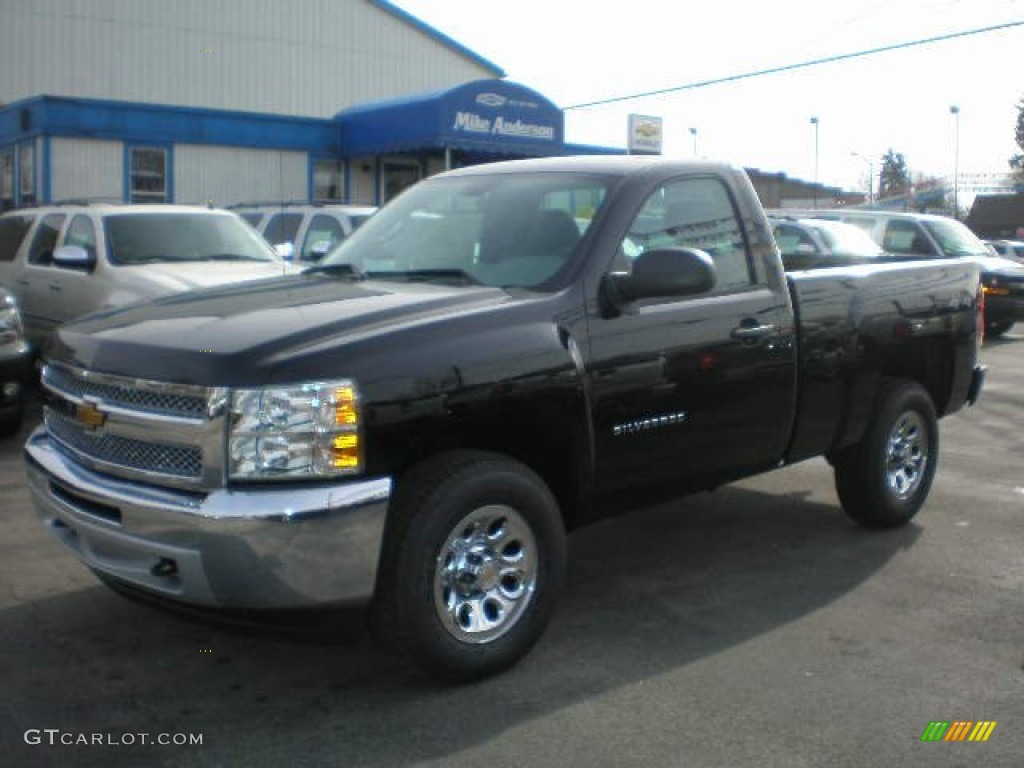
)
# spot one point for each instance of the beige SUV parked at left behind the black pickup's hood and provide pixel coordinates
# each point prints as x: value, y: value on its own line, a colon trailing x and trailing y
x: 64, y: 262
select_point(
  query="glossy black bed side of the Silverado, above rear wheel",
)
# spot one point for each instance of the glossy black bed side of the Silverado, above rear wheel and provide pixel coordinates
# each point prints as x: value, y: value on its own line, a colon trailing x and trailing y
x: 857, y: 324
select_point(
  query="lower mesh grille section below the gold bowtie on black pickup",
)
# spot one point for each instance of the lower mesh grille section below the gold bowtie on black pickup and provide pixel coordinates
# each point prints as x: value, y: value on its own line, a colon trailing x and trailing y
x: 180, y: 461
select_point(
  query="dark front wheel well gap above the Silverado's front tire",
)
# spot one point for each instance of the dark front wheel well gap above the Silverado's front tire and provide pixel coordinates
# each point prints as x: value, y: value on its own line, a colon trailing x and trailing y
x: 541, y: 438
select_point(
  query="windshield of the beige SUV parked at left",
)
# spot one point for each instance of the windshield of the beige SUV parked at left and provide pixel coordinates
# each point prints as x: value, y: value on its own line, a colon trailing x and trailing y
x: 148, y: 238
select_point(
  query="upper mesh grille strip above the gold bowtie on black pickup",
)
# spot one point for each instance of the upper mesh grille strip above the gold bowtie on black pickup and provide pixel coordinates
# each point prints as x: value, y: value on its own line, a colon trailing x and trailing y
x: 145, y: 397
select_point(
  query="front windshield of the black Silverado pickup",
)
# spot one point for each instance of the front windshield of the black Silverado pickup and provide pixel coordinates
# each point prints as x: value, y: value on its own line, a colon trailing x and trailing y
x: 503, y: 230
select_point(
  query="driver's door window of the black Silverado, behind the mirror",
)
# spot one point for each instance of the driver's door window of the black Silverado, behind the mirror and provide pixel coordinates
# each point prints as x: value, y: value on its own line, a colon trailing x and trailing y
x: 693, y: 214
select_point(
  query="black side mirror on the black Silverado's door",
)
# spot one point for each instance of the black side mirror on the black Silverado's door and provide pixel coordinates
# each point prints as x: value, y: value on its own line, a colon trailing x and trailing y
x: 663, y: 274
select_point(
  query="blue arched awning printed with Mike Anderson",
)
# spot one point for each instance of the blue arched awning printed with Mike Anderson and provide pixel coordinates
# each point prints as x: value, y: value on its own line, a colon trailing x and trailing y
x: 486, y: 116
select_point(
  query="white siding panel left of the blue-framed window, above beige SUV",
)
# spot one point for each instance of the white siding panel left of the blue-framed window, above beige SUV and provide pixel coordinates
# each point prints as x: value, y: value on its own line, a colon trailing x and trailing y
x: 87, y: 168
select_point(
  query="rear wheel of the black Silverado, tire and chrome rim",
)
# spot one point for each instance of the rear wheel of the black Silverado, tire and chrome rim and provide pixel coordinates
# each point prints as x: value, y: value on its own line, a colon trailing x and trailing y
x: 883, y: 481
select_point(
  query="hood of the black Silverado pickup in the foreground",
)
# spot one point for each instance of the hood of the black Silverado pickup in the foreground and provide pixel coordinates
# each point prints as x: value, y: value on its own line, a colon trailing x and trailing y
x: 242, y: 335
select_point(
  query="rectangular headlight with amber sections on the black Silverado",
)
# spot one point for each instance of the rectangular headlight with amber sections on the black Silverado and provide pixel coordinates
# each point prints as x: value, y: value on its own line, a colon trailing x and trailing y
x: 307, y: 431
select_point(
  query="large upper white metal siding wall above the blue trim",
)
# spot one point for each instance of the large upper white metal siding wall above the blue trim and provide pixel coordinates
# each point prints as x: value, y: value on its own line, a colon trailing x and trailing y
x: 309, y: 58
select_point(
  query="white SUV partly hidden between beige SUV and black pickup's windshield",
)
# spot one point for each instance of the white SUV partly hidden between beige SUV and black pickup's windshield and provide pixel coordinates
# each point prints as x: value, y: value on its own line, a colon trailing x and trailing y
x: 306, y: 233
